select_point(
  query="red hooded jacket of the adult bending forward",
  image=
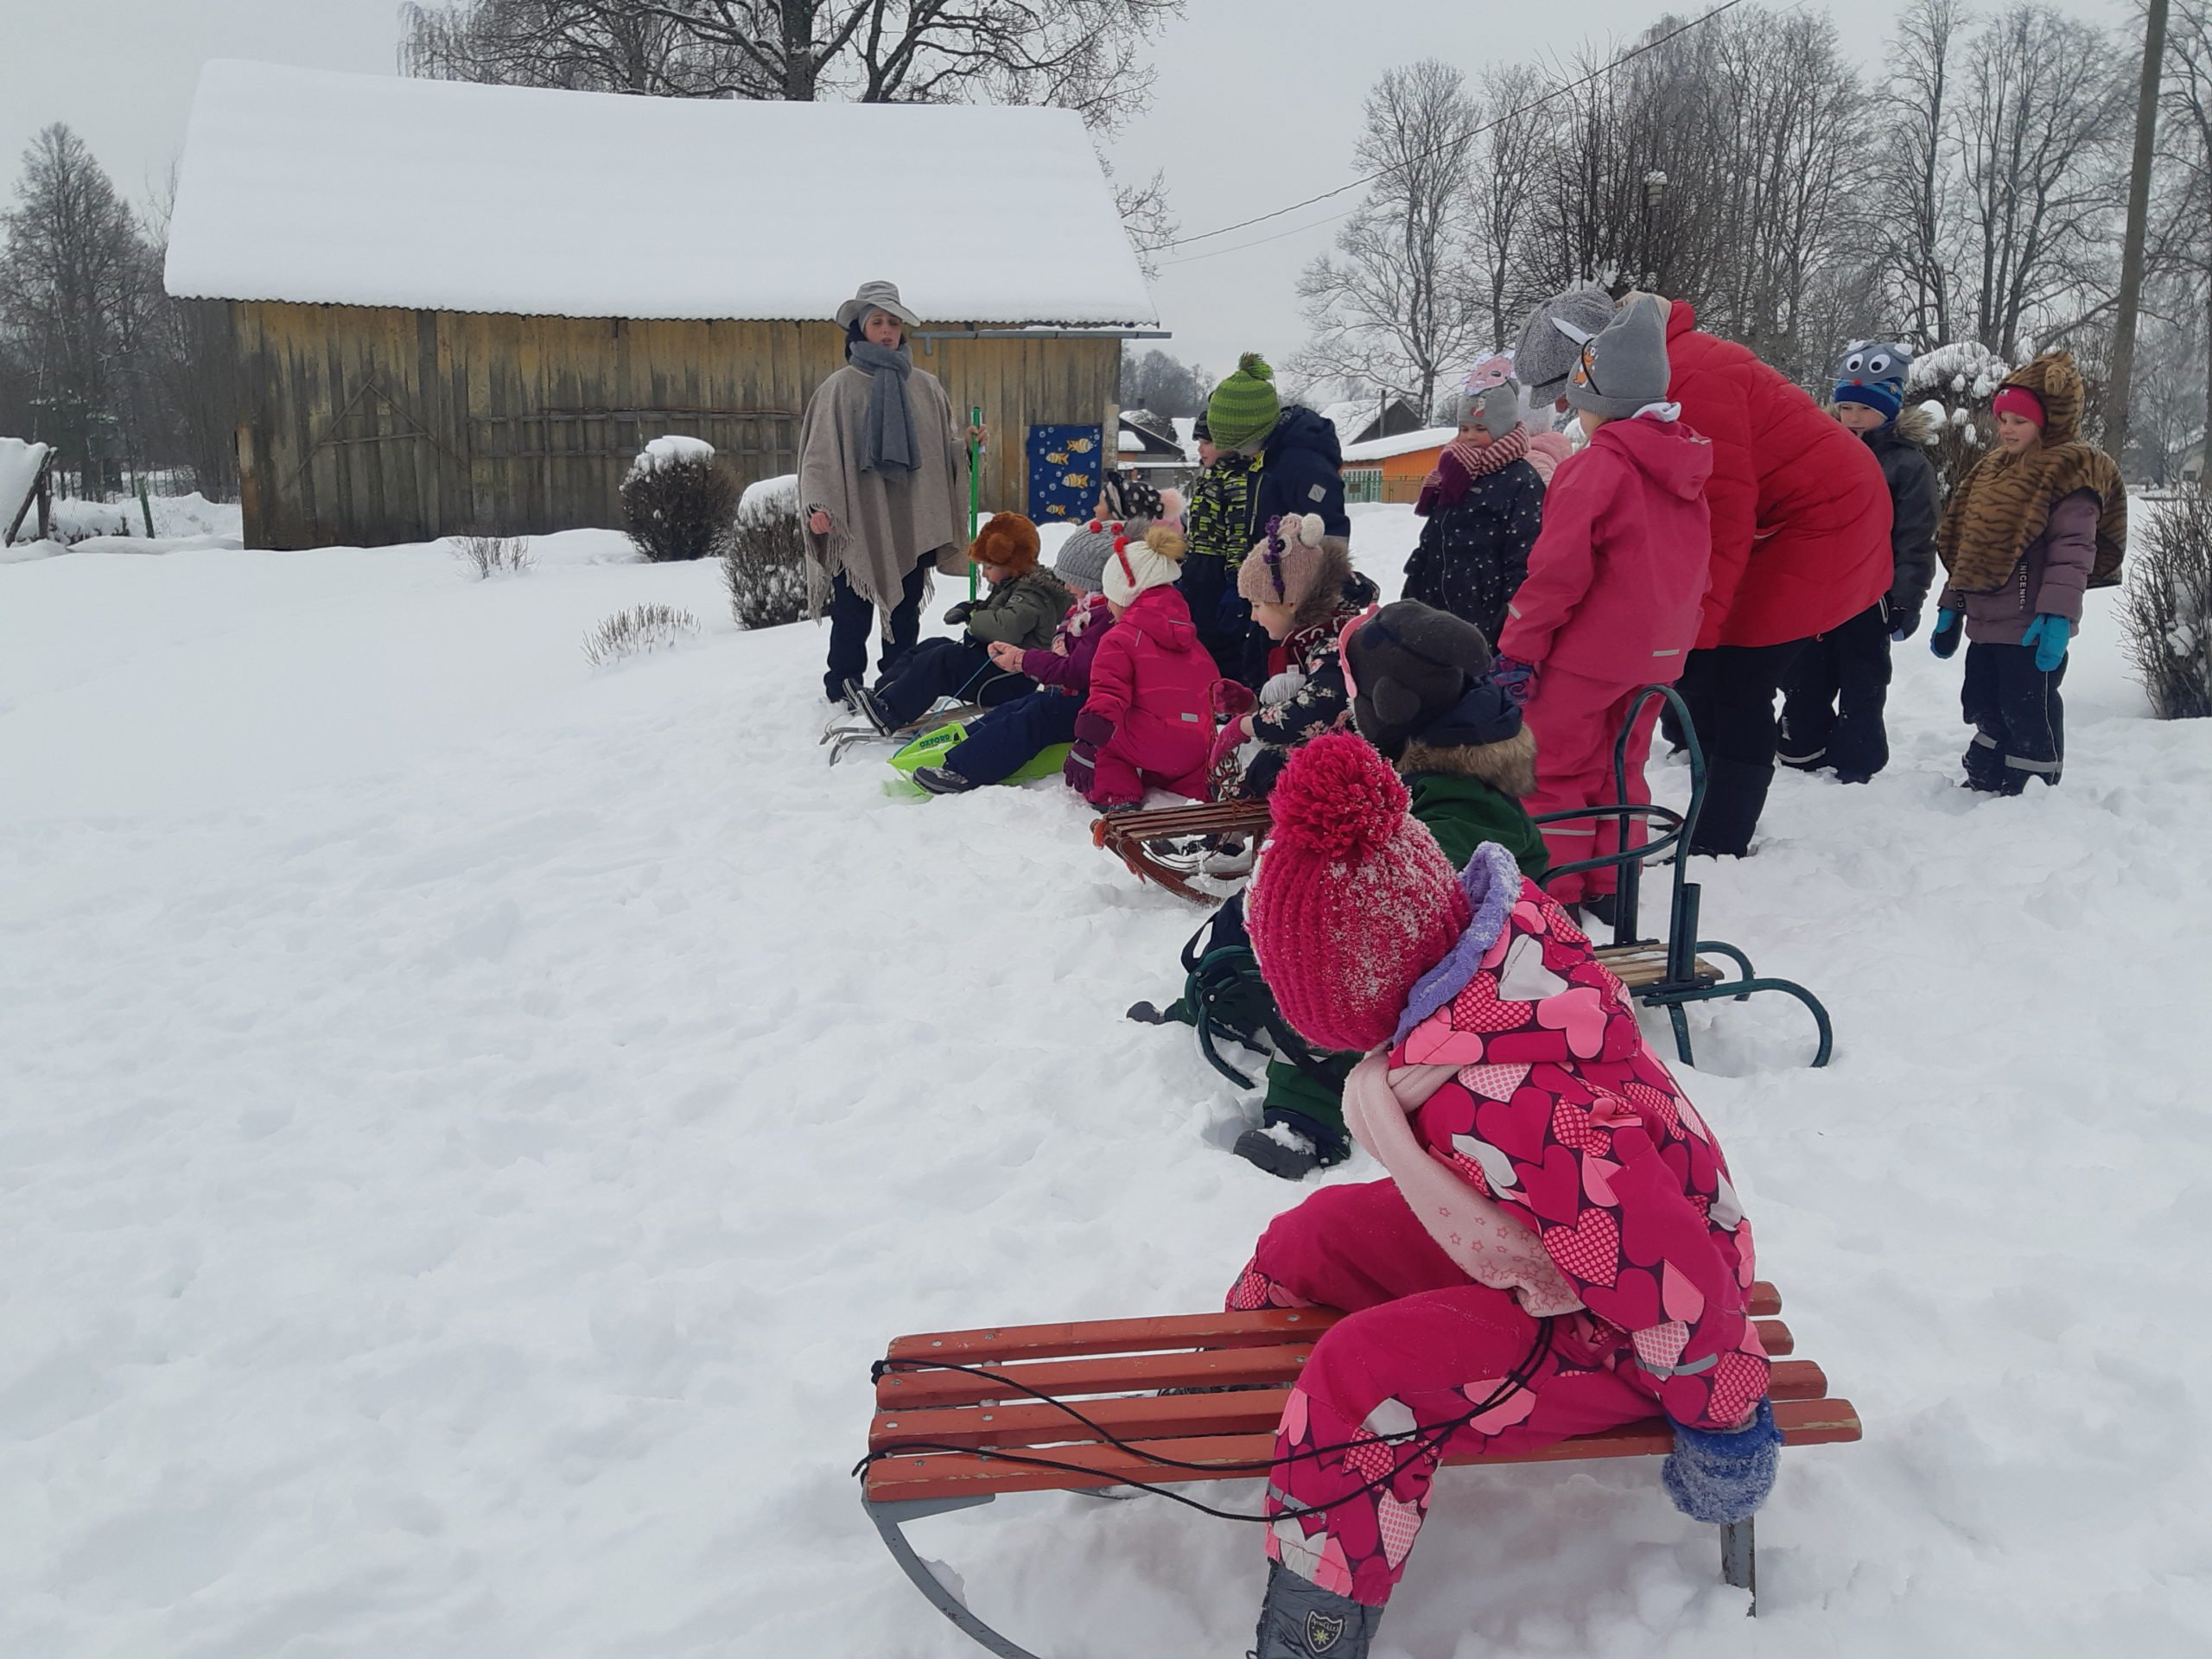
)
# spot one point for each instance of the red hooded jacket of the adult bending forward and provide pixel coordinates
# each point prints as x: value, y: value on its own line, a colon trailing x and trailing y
x: 1799, y: 505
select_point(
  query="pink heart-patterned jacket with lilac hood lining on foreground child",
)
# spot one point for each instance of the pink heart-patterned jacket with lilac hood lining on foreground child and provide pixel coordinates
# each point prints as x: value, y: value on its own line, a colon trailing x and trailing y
x: 1563, y: 1116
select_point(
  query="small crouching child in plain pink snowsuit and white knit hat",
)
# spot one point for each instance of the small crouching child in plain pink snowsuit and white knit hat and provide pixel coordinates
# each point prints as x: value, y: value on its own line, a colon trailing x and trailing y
x: 1149, y: 718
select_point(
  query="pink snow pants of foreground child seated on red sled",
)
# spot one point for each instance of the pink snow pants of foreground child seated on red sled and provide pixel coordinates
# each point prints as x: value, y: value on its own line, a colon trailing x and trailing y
x: 1423, y: 1346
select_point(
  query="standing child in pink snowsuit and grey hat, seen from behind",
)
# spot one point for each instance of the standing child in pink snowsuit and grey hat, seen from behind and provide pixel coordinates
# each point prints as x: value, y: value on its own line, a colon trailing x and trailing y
x: 1614, y: 594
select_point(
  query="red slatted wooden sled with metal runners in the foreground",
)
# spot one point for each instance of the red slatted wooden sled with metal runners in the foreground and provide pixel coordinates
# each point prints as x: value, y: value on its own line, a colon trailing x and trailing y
x: 963, y: 1417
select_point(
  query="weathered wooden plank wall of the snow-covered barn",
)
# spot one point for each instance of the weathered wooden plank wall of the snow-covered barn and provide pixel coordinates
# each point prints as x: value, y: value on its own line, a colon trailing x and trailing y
x: 366, y: 426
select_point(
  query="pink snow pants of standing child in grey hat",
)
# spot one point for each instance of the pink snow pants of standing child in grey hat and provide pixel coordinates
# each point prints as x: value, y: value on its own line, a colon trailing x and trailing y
x: 1576, y: 722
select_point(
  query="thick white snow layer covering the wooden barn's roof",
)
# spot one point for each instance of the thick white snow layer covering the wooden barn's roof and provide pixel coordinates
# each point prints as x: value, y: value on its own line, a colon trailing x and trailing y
x: 331, y: 189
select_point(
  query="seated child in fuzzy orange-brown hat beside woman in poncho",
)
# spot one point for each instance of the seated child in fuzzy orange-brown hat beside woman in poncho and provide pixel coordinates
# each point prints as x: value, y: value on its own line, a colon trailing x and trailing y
x: 1021, y: 607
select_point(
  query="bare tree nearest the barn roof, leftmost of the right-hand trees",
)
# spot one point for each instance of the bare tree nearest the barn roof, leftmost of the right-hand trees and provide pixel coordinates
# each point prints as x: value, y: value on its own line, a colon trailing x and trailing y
x: 1395, y: 309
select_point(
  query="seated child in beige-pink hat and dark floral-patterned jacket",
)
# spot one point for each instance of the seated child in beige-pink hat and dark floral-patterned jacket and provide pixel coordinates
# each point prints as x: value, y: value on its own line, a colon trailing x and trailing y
x: 1304, y: 594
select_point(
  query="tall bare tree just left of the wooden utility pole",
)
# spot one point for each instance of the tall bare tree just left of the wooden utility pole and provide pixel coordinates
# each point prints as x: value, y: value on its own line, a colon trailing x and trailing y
x: 2036, y: 127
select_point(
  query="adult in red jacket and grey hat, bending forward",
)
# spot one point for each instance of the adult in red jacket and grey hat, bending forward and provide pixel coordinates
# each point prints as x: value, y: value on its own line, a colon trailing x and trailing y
x: 1799, y: 541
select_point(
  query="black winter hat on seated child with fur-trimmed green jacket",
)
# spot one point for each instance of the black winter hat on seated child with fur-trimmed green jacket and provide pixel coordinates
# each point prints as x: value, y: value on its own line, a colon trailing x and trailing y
x: 1426, y: 674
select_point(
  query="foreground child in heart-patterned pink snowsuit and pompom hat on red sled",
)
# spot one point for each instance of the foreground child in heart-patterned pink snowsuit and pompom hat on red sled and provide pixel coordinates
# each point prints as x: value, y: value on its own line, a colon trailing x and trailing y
x: 1558, y: 1249
